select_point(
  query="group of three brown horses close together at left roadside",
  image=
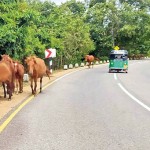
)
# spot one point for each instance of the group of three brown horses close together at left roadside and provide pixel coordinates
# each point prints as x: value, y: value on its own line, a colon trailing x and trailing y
x: 12, y: 73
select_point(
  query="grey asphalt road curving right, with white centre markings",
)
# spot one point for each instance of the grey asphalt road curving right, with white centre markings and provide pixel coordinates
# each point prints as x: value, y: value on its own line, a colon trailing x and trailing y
x: 87, y: 110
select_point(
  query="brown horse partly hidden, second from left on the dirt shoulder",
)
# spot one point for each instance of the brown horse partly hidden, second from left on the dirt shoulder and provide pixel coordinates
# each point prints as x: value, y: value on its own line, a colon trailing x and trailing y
x: 19, y: 73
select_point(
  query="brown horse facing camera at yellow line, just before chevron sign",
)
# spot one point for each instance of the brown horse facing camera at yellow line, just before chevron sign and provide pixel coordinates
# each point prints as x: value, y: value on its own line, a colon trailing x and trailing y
x: 36, y: 69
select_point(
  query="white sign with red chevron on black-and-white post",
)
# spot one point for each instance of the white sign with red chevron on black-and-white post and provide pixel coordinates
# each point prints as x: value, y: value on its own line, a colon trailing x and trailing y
x: 50, y: 53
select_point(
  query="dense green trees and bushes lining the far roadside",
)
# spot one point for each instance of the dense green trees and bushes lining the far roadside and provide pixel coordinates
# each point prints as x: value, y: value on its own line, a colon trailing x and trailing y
x: 74, y: 28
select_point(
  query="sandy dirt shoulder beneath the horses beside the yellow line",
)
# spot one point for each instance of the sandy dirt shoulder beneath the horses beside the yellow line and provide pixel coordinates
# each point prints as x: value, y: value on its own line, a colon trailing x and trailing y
x: 7, y: 106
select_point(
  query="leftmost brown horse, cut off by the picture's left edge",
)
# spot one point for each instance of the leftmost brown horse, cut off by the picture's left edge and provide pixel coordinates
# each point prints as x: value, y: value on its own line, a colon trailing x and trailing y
x: 7, y: 75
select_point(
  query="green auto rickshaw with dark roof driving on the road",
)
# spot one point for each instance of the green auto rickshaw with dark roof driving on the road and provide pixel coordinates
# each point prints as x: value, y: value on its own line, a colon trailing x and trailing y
x: 118, y: 61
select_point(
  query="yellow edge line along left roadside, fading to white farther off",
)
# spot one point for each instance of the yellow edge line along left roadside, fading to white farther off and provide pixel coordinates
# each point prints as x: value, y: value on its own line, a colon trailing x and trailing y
x: 13, y: 114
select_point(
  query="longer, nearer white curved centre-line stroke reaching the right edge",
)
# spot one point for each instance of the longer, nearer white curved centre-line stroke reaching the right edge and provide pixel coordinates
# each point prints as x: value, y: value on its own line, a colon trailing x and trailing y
x: 133, y: 98
